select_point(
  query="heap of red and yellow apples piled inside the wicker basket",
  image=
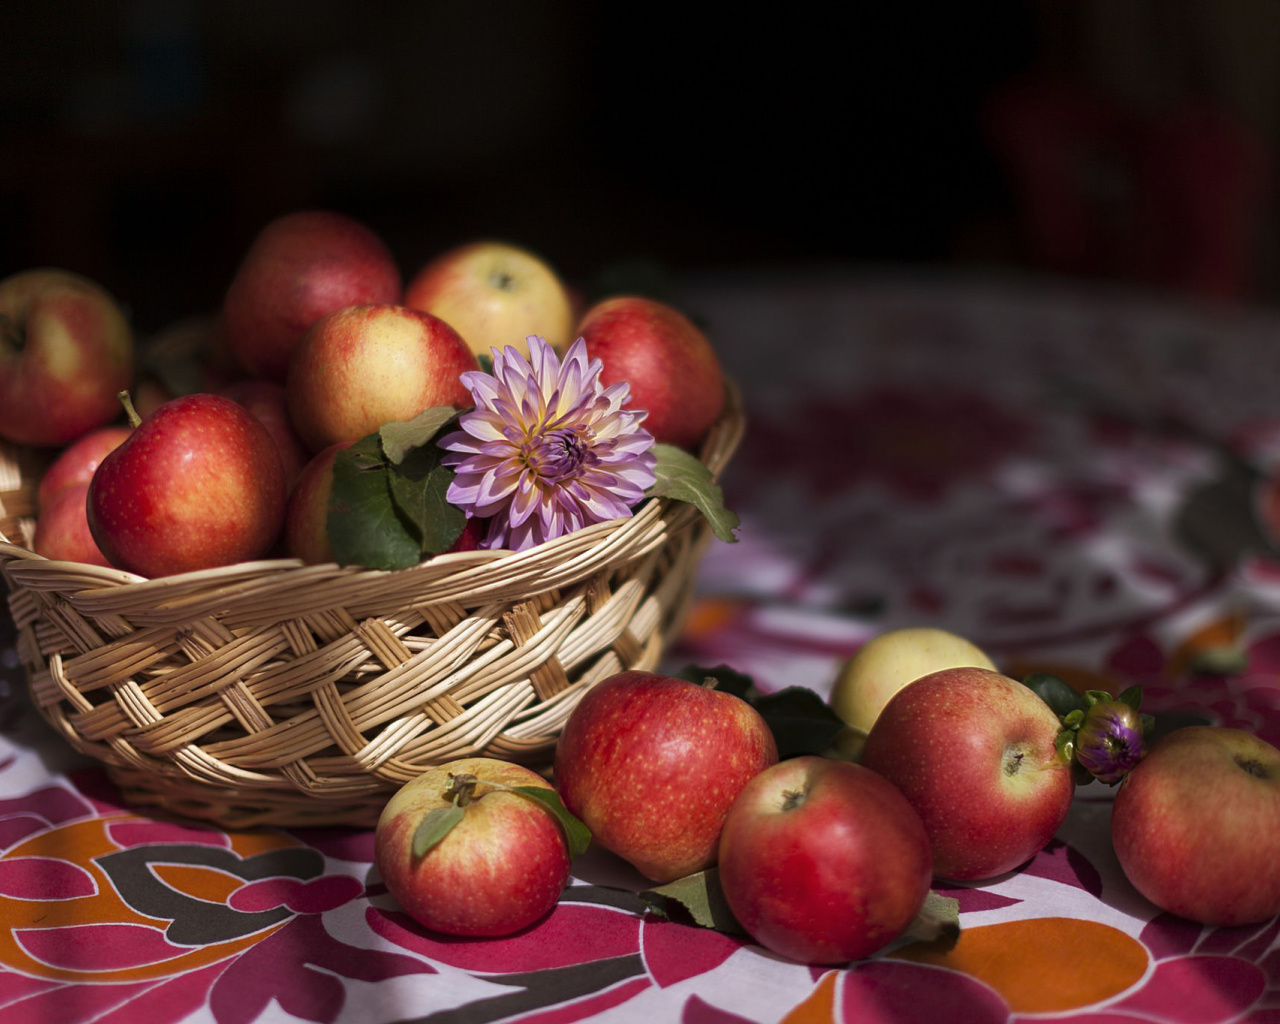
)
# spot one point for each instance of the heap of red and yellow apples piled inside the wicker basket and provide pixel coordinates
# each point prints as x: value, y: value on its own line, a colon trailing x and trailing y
x: 319, y: 342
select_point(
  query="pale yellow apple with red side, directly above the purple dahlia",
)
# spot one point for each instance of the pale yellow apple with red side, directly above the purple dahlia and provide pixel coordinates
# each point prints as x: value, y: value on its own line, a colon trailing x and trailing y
x: 495, y: 295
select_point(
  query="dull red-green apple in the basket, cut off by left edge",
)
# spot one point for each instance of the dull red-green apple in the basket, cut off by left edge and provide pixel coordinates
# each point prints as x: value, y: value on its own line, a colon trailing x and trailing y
x: 66, y: 354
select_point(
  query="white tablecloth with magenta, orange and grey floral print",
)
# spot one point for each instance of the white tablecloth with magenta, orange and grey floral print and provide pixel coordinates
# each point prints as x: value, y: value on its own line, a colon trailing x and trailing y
x: 1072, y: 479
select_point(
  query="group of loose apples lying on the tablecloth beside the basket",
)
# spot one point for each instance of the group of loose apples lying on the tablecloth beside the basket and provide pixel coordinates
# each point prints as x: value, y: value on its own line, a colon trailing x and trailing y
x: 962, y: 775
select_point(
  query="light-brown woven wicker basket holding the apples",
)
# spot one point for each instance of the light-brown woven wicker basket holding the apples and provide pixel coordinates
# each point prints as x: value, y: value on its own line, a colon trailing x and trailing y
x: 273, y: 693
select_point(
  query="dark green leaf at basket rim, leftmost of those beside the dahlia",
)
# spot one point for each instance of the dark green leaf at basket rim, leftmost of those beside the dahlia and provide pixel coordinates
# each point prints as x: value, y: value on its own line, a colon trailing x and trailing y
x: 365, y: 527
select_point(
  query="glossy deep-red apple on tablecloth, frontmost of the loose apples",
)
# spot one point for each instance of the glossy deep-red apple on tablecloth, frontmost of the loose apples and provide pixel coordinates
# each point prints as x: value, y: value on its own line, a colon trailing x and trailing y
x: 824, y: 862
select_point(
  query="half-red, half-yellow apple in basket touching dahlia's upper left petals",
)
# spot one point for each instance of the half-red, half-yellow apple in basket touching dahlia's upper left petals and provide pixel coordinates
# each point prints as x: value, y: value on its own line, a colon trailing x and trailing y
x: 364, y: 367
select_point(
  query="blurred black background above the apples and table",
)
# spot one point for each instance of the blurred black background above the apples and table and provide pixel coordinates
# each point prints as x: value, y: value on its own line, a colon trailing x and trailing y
x: 145, y: 143
